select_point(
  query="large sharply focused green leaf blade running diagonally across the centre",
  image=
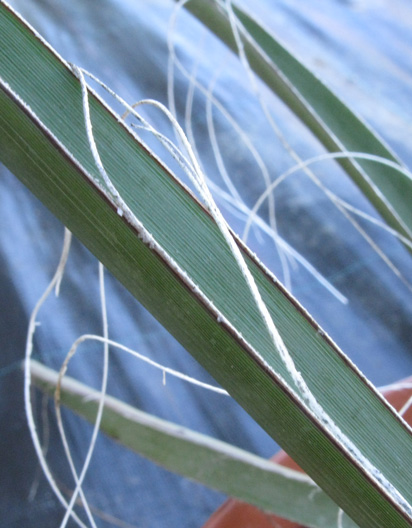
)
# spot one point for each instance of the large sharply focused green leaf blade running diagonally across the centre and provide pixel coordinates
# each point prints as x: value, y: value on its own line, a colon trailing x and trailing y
x: 43, y: 141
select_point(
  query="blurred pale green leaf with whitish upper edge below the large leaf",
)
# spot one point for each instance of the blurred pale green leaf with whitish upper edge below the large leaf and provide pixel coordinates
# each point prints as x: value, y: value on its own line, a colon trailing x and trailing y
x: 211, y: 462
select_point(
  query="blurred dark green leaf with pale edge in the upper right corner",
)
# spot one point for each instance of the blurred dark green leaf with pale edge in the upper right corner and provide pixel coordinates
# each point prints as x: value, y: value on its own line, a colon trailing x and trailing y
x: 332, y: 122
